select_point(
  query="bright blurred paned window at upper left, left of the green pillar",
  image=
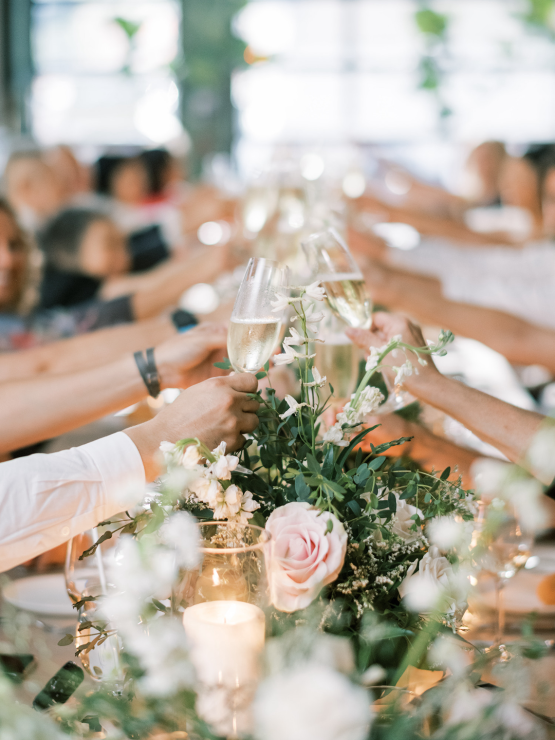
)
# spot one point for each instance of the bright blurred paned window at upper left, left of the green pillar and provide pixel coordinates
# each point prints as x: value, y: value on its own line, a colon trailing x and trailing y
x: 104, y: 72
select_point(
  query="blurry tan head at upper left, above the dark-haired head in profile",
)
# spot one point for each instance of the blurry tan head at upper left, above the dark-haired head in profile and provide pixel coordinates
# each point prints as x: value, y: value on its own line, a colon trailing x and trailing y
x: 33, y: 188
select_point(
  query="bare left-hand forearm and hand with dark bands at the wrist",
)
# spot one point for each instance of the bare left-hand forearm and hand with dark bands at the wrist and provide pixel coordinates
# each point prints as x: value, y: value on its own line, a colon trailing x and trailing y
x: 35, y: 409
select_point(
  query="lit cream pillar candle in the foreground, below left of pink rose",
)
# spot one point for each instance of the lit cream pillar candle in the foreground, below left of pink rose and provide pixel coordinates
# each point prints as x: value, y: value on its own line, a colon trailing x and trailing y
x: 227, y: 640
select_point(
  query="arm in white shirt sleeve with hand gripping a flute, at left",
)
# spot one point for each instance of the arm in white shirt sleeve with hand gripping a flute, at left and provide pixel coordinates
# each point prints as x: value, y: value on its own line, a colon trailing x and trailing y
x: 47, y: 499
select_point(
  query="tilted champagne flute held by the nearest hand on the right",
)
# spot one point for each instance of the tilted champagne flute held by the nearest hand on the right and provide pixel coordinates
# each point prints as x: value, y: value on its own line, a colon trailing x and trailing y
x: 333, y: 264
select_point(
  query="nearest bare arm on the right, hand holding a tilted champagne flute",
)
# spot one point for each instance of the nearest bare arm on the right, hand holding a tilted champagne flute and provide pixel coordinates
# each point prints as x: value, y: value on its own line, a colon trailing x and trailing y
x: 506, y: 427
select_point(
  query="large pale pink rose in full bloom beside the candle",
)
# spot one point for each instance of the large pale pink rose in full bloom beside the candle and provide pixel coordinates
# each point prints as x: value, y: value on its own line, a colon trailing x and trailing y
x: 304, y: 557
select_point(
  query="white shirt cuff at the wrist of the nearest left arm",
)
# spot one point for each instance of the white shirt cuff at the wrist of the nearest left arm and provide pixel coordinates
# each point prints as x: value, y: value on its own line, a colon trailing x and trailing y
x: 121, y: 467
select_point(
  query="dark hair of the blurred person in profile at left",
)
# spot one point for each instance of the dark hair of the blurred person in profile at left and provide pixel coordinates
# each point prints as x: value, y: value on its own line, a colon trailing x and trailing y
x: 61, y: 238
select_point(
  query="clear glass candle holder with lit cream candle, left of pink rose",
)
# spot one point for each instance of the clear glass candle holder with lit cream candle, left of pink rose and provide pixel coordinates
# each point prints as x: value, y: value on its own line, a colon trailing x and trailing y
x: 222, y: 603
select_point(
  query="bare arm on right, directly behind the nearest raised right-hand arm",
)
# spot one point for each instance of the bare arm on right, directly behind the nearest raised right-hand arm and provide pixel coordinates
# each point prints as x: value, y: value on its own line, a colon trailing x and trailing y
x: 519, y: 341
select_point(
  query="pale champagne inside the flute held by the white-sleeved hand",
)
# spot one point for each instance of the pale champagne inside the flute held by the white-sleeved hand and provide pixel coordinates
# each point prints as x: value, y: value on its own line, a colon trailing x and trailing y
x: 250, y: 343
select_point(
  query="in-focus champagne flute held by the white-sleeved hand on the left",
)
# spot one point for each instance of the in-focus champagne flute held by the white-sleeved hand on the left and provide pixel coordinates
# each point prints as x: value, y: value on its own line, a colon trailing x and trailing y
x: 255, y: 328
